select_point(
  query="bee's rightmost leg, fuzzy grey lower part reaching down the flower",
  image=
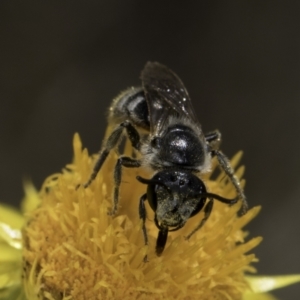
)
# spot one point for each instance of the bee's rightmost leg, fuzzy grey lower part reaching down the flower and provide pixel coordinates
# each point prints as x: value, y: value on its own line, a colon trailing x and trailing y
x: 225, y: 165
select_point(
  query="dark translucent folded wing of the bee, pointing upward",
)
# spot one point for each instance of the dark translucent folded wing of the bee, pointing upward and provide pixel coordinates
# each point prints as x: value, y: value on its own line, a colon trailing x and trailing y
x: 166, y: 96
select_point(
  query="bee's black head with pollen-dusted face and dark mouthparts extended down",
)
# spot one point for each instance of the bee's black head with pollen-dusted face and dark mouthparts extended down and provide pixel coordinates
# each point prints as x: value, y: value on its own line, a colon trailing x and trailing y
x: 175, y: 196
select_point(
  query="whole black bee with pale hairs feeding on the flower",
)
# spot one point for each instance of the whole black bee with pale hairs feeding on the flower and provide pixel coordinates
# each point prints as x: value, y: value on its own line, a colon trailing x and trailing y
x: 160, y: 123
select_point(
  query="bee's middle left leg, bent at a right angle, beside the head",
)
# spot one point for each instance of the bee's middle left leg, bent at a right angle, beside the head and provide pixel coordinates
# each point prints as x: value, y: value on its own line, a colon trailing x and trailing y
x: 127, y: 162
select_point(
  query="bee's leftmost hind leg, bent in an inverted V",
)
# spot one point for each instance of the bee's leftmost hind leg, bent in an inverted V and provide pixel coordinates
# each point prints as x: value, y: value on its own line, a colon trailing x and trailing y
x: 112, y: 142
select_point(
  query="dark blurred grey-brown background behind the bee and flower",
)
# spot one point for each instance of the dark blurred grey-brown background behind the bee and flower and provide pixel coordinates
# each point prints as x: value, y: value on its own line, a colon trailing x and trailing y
x: 61, y: 63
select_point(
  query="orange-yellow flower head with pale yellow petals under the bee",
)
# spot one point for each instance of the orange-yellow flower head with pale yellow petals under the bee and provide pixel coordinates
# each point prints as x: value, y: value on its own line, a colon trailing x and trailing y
x: 72, y: 249
